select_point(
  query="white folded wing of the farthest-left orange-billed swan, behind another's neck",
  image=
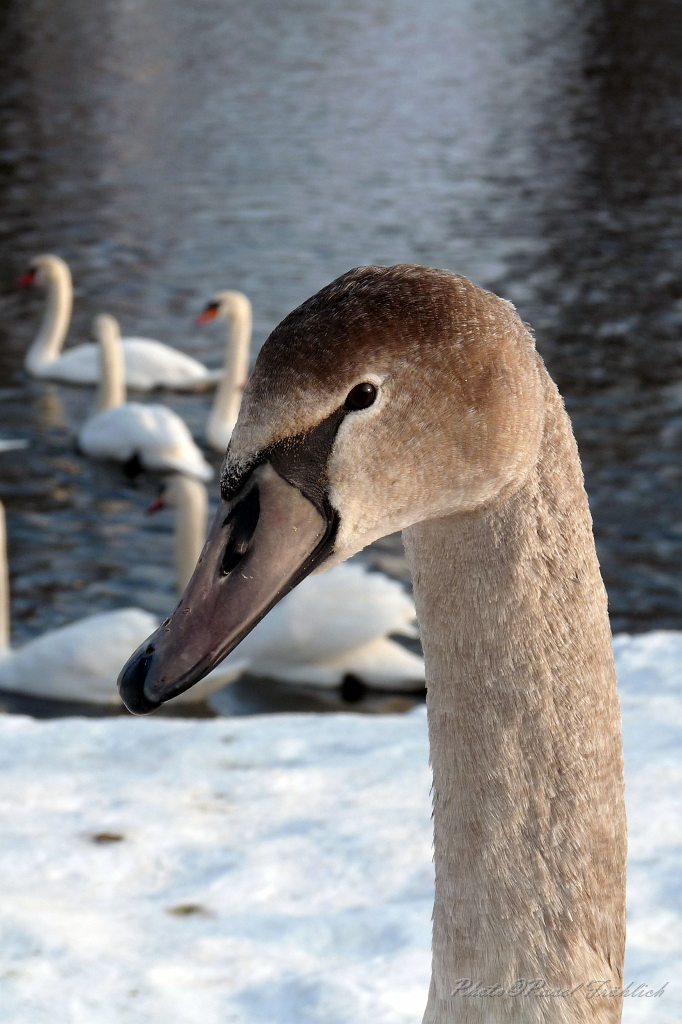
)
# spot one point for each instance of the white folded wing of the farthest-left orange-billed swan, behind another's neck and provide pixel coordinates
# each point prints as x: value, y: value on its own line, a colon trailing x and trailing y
x: 151, y: 364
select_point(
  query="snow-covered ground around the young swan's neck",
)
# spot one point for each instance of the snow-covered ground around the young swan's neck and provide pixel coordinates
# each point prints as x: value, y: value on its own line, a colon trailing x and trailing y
x: 276, y: 870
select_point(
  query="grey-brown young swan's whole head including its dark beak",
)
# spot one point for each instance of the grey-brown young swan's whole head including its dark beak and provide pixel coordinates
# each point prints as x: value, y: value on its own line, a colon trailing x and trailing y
x: 394, y: 396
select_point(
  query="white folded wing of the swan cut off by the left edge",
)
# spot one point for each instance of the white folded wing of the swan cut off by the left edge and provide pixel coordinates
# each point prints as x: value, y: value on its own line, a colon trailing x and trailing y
x: 79, y: 662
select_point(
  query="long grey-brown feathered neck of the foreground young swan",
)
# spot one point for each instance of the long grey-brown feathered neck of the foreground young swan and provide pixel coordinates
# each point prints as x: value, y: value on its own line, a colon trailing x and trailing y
x: 526, y: 748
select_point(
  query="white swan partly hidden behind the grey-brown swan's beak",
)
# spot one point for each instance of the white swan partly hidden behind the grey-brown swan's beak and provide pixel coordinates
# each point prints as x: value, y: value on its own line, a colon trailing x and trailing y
x: 334, y: 625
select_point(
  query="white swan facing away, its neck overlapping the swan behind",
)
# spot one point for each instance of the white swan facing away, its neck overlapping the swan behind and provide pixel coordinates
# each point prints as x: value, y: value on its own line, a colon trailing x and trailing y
x: 122, y: 431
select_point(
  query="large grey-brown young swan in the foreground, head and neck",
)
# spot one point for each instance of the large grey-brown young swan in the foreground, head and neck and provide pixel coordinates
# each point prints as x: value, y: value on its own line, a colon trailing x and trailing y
x: 407, y: 399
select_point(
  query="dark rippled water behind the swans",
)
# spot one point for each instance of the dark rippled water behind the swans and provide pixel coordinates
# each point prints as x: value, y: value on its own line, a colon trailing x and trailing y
x: 167, y: 150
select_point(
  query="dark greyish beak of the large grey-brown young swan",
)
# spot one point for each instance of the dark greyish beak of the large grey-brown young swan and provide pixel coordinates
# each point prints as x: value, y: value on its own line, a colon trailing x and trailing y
x: 265, y: 540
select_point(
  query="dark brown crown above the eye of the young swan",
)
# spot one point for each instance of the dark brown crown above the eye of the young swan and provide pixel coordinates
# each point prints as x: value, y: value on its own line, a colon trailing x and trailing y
x: 429, y: 333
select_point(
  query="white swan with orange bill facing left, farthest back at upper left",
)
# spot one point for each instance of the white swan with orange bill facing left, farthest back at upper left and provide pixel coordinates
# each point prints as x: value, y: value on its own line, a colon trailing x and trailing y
x: 149, y: 364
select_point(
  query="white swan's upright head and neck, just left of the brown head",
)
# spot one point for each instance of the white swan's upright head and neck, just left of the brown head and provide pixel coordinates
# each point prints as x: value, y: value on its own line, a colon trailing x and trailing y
x: 235, y: 309
